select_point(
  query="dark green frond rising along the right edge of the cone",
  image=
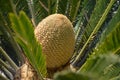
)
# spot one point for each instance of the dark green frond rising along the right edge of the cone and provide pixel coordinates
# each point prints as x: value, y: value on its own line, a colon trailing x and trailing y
x: 85, y: 10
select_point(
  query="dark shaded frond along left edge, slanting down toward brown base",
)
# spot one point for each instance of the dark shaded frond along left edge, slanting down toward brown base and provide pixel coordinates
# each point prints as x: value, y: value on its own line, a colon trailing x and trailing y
x: 7, y: 32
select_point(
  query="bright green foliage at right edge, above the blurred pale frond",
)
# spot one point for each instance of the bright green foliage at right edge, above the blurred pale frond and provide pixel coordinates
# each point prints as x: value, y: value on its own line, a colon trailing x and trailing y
x: 110, y: 40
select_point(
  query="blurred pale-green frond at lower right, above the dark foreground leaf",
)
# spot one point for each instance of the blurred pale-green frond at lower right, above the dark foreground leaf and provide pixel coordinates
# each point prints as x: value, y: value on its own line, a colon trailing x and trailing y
x: 94, y: 62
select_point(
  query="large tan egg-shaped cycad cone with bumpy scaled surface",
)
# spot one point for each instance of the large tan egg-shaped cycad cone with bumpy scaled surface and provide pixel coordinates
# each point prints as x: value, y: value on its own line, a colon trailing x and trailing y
x: 55, y: 34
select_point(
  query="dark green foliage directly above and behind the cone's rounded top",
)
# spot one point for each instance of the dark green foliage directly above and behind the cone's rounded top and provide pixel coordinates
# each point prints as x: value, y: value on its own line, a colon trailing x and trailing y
x: 42, y: 8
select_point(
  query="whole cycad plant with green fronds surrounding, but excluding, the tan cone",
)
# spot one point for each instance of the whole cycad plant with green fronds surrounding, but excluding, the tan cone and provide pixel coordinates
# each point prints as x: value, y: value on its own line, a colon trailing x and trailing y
x: 96, y: 25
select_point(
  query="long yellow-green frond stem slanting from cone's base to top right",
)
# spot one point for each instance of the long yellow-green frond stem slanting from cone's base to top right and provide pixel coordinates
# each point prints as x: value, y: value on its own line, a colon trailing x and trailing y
x: 95, y: 29
